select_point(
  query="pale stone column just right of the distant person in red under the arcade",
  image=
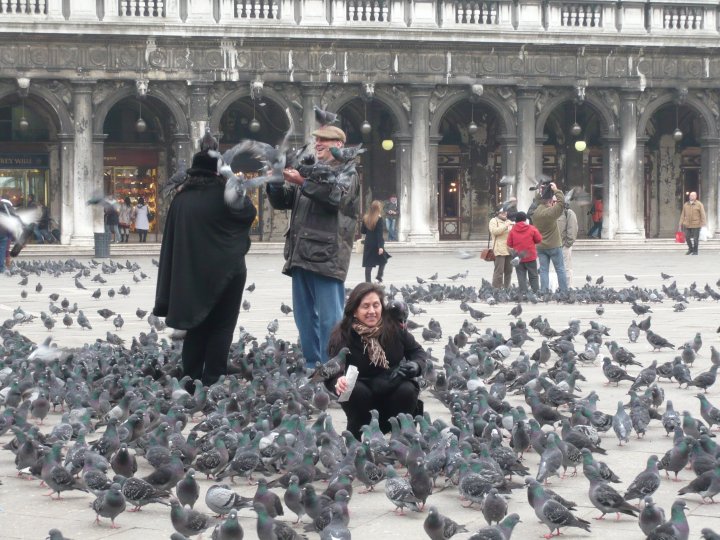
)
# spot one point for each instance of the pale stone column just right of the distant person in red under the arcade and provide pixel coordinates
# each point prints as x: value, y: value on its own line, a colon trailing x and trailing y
x: 630, y: 213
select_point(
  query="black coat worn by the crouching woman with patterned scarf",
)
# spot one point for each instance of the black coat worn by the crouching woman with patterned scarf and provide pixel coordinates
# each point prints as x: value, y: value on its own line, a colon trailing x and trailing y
x: 404, y: 347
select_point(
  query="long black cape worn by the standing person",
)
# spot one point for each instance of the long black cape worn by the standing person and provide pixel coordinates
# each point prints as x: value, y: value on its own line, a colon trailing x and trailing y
x: 203, y: 248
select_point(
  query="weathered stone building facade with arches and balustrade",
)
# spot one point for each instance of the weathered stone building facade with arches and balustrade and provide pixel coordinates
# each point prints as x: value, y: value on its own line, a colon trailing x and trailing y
x: 616, y: 98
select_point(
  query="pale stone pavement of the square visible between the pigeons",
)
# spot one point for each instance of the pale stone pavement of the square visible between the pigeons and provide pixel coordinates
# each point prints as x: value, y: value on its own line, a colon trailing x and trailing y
x: 26, y: 513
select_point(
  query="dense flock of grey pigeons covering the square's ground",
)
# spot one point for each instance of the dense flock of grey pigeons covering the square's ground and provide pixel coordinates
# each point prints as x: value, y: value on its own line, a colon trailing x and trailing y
x: 125, y: 430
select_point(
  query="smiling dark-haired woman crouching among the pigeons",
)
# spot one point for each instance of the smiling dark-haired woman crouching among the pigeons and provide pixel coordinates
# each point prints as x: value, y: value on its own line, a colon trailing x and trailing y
x: 387, y: 357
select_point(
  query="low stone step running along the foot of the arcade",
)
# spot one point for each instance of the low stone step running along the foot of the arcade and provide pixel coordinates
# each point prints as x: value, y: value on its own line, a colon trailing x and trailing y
x: 35, y: 251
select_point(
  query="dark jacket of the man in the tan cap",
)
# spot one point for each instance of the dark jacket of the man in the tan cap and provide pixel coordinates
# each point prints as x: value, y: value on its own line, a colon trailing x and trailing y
x: 322, y: 225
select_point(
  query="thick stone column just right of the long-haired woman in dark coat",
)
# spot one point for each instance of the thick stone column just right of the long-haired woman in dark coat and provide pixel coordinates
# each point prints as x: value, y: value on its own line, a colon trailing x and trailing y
x: 423, y: 191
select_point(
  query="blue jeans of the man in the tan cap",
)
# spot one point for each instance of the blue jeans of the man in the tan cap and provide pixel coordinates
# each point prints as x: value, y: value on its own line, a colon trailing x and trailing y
x: 318, y: 306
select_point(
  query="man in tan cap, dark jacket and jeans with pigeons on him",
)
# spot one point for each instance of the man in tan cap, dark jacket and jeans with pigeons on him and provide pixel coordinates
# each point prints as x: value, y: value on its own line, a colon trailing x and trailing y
x: 318, y: 244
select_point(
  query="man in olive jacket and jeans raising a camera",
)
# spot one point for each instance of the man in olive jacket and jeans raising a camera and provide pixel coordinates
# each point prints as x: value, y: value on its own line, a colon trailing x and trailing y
x: 551, y: 204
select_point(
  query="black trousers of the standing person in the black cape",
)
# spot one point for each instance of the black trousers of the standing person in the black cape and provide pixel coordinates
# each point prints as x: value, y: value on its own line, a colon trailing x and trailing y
x: 206, y: 347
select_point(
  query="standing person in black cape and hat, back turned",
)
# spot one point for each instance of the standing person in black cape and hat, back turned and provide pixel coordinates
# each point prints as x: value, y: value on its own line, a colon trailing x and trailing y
x: 202, y: 269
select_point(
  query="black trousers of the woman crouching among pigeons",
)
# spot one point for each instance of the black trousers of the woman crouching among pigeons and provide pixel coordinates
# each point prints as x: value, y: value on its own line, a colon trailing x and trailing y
x: 403, y: 399
